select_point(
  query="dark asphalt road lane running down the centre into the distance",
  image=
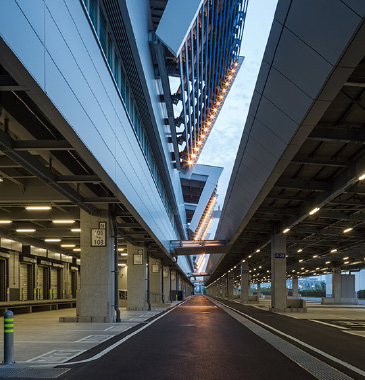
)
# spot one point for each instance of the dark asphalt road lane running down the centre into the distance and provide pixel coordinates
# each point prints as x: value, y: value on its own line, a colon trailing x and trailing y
x: 197, y: 340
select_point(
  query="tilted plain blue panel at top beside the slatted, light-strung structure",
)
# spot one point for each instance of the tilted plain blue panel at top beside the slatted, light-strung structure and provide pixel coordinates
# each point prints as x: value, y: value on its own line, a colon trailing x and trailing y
x: 176, y: 22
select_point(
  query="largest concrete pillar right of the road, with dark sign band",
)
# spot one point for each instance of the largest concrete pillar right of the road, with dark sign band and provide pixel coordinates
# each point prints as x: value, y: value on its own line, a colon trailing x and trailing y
x: 278, y: 272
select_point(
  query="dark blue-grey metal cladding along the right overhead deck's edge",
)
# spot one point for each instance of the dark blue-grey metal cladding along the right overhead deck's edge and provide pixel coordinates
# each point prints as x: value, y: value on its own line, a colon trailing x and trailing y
x: 287, y: 101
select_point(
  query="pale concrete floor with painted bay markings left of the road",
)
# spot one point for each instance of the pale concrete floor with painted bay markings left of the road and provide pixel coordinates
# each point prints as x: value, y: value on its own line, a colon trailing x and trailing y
x: 37, y: 335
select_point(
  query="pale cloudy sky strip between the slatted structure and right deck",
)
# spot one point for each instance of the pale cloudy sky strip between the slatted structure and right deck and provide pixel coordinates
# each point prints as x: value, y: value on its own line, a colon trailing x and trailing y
x: 222, y: 144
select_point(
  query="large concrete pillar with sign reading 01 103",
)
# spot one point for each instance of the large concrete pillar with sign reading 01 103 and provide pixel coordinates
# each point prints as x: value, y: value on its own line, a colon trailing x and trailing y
x: 97, y: 280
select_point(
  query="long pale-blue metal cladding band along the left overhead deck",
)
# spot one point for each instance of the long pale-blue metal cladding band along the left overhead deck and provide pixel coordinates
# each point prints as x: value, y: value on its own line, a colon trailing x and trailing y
x: 72, y: 71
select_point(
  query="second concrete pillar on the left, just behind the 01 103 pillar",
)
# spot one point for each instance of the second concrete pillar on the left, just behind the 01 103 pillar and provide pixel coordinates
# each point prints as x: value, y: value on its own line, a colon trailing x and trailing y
x: 137, y: 277
